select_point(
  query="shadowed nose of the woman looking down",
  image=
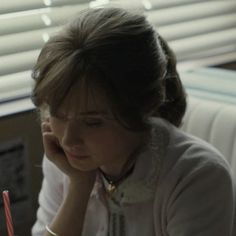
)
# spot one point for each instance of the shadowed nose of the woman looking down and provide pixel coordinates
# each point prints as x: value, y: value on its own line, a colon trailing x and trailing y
x: 72, y: 137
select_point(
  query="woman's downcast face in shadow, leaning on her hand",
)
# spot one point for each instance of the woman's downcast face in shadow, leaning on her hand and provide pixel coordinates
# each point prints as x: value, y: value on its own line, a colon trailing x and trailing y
x: 91, y: 137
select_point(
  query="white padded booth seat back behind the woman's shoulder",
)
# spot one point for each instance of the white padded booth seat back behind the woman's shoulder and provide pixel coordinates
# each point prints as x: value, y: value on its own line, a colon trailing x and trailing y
x: 215, y: 122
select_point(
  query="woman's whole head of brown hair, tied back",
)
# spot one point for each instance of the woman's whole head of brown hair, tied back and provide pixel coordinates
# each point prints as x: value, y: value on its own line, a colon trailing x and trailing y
x: 119, y: 51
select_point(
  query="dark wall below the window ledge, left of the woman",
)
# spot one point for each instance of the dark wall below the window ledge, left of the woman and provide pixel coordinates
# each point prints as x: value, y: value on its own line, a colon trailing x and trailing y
x: 20, y: 172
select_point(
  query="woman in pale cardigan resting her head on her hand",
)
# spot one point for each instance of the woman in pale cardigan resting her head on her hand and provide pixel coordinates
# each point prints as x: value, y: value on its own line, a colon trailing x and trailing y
x: 116, y: 162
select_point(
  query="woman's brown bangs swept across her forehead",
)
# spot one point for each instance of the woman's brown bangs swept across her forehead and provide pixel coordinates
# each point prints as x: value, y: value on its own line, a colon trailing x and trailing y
x: 55, y: 83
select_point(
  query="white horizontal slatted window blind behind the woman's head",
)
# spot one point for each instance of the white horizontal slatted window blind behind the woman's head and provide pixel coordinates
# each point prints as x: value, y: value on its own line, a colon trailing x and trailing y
x: 202, y: 33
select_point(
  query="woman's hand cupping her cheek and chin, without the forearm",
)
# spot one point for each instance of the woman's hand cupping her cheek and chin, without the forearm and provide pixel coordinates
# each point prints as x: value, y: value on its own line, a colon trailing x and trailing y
x: 55, y: 153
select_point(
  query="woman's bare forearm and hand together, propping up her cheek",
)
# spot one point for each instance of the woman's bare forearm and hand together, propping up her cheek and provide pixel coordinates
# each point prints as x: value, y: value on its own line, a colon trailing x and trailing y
x: 70, y: 216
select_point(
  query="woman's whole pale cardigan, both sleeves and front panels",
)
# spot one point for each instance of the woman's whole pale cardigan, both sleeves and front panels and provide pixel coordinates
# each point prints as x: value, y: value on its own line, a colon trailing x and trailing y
x: 181, y: 186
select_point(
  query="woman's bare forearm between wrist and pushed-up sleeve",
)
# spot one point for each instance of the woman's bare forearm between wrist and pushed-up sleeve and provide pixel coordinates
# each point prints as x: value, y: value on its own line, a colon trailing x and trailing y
x: 70, y: 216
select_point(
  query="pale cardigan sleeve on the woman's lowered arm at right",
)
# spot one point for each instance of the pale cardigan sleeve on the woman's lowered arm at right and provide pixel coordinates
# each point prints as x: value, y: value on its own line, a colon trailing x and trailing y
x: 200, y: 201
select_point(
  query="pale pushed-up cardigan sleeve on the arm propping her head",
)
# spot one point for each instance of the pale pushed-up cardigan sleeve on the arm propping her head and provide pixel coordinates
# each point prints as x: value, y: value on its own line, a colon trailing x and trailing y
x: 50, y: 197
